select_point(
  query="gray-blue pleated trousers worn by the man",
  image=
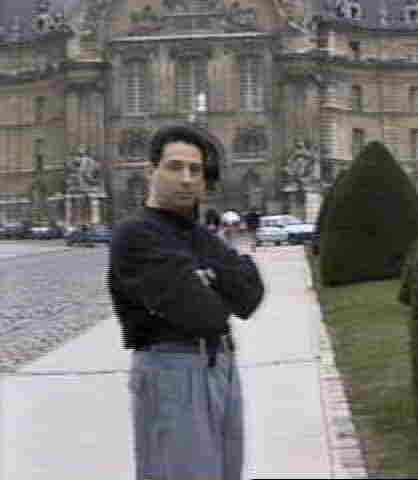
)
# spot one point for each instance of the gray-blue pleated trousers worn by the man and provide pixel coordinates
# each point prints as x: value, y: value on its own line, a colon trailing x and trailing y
x: 188, y: 422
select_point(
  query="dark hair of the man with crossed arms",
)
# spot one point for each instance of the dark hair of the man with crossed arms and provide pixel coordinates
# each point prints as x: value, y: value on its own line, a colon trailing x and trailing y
x: 193, y: 136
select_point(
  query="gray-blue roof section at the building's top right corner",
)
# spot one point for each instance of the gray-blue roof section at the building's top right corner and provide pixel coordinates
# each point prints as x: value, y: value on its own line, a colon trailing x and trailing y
x: 371, y: 13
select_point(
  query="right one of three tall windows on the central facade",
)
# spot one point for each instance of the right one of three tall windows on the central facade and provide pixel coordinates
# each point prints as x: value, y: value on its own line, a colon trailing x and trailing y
x: 251, y: 83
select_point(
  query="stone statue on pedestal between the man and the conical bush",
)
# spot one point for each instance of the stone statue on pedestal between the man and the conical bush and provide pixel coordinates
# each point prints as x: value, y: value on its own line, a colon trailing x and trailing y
x: 303, y: 167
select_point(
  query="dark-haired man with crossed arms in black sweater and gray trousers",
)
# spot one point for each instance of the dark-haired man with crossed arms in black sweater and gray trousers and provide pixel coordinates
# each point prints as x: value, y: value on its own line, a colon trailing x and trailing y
x: 174, y: 284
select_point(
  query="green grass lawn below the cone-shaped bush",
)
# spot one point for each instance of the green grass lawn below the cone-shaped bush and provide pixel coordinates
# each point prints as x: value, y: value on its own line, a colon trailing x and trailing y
x: 369, y: 332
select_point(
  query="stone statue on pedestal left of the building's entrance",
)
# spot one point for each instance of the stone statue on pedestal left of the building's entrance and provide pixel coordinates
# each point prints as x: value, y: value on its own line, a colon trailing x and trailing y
x: 83, y: 173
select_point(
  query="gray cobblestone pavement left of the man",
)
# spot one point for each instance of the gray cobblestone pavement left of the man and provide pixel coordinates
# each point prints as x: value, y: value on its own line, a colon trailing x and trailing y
x: 48, y: 299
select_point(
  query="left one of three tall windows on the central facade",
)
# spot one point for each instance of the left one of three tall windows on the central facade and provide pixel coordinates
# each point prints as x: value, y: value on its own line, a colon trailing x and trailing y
x: 139, y: 88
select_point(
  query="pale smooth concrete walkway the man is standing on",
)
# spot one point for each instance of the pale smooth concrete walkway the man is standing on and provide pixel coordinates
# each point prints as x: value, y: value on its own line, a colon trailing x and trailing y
x: 67, y: 415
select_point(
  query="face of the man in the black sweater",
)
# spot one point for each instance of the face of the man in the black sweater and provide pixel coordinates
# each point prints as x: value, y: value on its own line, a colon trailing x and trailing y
x: 178, y: 180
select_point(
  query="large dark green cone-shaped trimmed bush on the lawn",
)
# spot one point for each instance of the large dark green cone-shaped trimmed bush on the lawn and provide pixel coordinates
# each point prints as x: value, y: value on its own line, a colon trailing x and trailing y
x: 370, y: 222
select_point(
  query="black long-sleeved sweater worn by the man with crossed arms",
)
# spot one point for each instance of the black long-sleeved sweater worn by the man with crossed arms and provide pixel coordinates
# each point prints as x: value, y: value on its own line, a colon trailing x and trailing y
x: 156, y: 291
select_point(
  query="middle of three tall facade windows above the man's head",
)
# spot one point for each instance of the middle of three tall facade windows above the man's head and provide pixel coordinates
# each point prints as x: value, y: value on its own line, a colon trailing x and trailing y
x: 191, y: 80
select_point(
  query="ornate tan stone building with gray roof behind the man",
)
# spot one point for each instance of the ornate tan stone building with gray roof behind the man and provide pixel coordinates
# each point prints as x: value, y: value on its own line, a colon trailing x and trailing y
x: 288, y: 90
